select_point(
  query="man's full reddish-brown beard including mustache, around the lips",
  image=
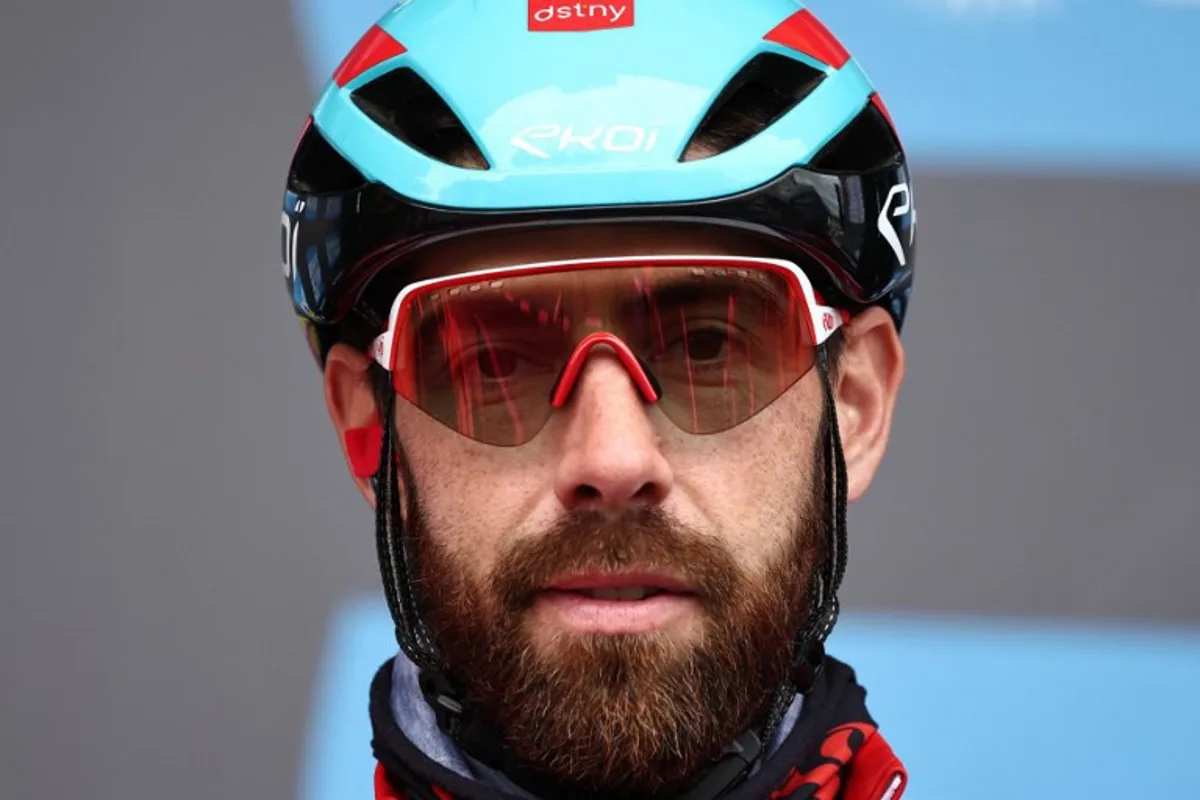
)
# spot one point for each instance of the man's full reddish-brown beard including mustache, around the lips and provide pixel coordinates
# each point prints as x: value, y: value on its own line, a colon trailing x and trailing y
x: 629, y: 715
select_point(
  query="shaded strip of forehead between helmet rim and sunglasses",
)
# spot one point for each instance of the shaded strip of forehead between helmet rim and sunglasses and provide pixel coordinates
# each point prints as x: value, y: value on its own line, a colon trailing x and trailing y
x: 494, y: 250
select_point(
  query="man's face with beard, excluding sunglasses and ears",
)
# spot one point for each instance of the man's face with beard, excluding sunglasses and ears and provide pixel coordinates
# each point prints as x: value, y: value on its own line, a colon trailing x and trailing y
x: 535, y: 561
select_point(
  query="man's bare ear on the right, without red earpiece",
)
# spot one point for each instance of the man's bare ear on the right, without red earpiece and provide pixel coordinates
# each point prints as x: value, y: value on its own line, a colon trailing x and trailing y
x: 869, y: 376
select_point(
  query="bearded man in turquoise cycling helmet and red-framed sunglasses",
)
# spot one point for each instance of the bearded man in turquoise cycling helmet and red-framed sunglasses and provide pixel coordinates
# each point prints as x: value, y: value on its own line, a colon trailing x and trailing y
x: 608, y: 303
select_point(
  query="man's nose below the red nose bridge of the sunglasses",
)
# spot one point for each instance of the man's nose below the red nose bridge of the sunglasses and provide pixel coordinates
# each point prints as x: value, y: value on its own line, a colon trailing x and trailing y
x: 610, y: 453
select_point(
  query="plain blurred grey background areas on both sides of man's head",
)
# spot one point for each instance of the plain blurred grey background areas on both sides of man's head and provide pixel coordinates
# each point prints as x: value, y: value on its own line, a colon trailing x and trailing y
x: 178, y: 522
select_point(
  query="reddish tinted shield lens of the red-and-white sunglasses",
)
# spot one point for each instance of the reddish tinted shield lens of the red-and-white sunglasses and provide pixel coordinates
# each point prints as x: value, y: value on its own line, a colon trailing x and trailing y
x: 722, y: 342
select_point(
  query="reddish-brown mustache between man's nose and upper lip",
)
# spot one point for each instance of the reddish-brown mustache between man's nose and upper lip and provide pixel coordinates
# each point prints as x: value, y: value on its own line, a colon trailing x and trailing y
x: 596, y: 542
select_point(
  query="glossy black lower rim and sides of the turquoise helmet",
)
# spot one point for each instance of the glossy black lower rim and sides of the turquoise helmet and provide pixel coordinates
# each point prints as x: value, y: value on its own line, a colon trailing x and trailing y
x: 341, y: 231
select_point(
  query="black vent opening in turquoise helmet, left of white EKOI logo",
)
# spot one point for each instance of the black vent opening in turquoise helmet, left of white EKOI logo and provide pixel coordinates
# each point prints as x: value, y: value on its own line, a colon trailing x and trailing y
x: 411, y: 110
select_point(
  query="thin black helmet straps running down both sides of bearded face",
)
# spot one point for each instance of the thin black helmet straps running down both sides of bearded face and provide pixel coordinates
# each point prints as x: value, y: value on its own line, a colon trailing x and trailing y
x: 484, y: 742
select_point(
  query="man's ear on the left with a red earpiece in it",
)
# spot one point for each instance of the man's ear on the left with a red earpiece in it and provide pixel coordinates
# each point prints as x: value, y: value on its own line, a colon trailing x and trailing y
x: 351, y: 400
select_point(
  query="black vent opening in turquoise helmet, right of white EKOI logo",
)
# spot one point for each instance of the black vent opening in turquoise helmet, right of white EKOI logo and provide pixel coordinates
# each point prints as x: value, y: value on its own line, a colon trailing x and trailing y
x: 764, y: 91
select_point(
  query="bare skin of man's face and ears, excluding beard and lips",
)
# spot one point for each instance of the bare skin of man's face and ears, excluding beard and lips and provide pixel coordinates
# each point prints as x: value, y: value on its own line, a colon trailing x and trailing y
x: 610, y: 452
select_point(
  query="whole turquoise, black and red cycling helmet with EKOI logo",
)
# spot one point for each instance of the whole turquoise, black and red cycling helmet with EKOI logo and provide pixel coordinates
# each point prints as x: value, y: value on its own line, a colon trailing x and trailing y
x: 454, y: 117
